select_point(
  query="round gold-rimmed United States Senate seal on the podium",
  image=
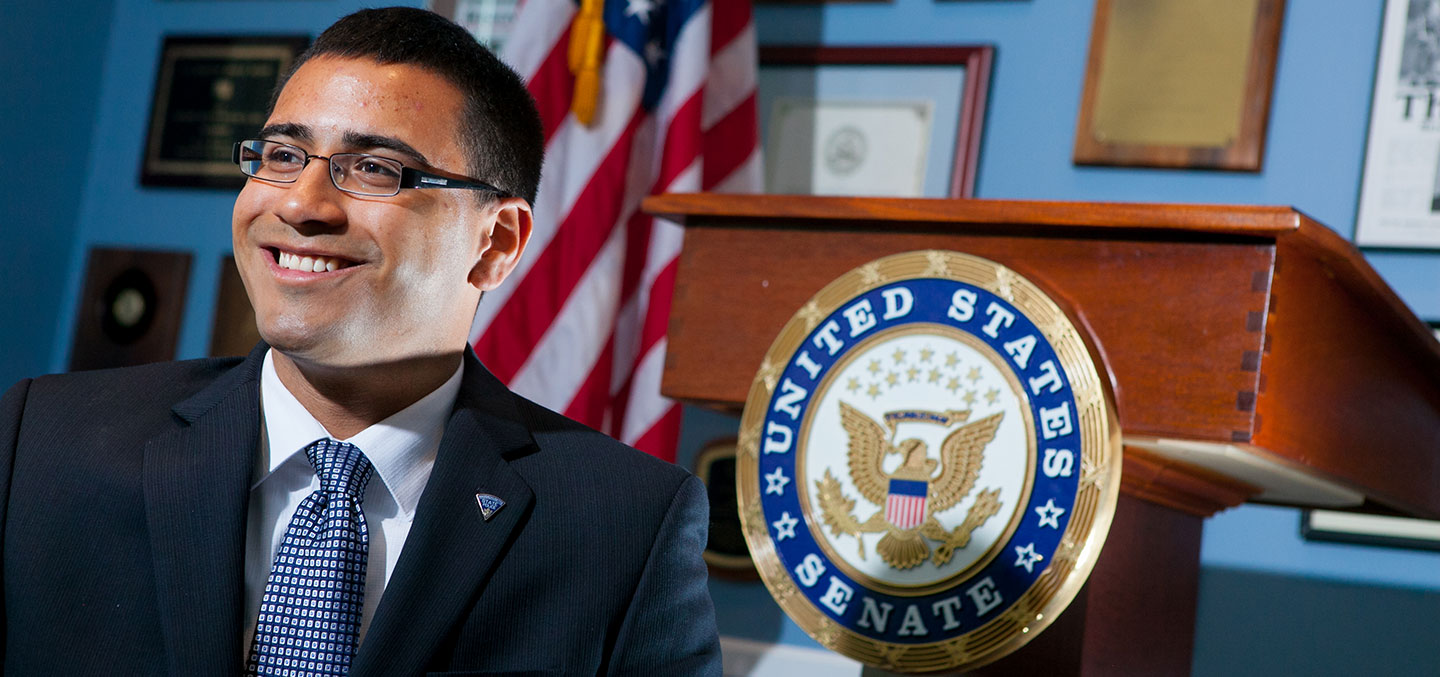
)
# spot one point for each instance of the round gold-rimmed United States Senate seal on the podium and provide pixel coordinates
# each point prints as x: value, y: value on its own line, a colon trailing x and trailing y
x: 930, y: 462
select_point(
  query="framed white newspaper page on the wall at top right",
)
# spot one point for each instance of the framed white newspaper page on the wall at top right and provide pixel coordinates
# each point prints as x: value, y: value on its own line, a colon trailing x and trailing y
x: 1400, y: 188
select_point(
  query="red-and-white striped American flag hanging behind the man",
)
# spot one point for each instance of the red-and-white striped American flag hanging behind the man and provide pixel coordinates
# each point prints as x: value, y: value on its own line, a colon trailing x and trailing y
x: 581, y: 325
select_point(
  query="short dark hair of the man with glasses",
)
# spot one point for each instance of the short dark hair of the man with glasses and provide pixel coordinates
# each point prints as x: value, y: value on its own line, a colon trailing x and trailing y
x: 500, y: 129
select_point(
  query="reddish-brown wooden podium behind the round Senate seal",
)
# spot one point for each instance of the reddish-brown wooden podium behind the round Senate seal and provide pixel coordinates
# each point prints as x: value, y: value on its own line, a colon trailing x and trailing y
x: 1255, y: 355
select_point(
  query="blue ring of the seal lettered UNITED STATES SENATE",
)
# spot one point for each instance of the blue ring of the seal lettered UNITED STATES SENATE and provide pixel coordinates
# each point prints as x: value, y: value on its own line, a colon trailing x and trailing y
x: 1004, y: 580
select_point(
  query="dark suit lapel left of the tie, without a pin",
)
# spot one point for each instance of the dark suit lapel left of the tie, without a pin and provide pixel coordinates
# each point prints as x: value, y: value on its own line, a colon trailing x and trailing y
x: 197, y: 482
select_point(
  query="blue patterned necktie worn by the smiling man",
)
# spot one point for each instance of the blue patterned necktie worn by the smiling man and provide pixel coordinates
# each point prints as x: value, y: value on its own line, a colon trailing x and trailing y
x: 310, y: 614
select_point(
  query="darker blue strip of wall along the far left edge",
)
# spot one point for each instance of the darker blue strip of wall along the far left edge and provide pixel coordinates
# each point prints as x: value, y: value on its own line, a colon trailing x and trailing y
x: 48, y: 110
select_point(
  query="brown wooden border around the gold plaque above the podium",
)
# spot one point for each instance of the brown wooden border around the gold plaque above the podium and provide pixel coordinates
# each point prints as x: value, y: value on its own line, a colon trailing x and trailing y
x: 1242, y: 155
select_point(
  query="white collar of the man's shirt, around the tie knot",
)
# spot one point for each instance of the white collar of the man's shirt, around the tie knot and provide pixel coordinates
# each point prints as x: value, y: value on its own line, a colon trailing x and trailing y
x: 401, y: 449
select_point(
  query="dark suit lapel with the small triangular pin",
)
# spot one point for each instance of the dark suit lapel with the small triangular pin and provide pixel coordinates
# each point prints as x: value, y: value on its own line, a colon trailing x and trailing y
x: 451, y: 550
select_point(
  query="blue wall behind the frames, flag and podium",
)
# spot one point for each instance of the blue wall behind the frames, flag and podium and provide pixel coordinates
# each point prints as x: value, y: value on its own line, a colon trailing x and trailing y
x: 78, y: 74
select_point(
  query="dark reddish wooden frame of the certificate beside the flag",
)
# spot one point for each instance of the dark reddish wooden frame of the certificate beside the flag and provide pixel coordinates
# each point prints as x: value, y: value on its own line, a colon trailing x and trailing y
x: 976, y: 60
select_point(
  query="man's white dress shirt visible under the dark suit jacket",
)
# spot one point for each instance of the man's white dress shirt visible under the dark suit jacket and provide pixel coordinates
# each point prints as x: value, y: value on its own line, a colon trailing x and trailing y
x: 401, y: 449
